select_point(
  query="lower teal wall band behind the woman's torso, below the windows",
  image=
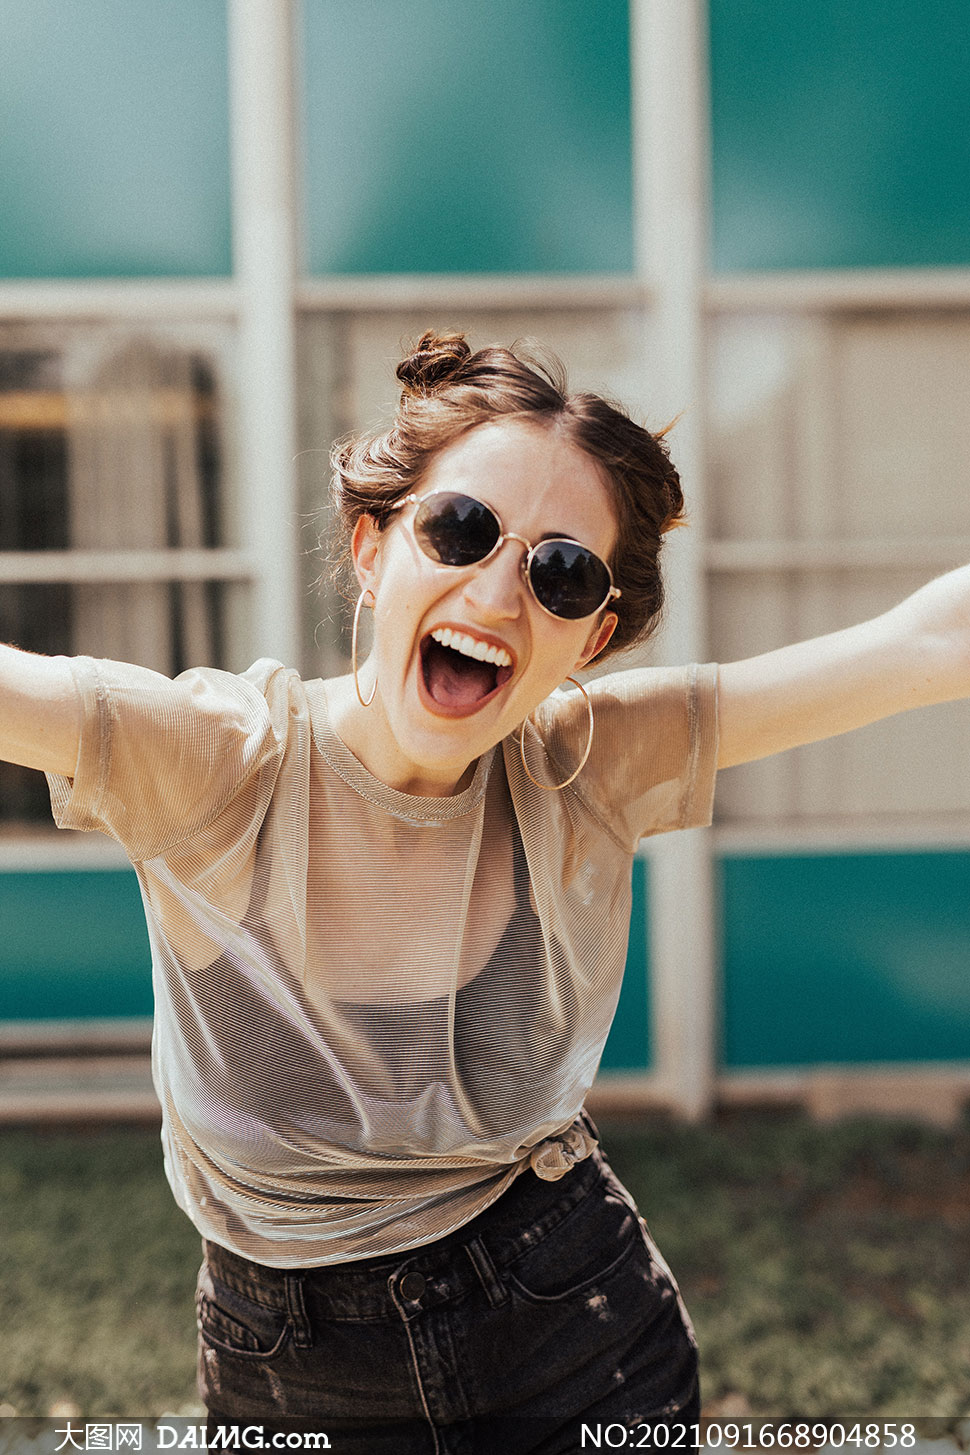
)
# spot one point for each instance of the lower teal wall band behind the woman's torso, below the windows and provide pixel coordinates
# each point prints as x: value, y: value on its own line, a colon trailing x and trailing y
x: 827, y: 958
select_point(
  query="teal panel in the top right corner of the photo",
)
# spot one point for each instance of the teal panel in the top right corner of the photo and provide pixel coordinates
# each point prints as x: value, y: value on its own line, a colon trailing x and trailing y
x: 841, y: 133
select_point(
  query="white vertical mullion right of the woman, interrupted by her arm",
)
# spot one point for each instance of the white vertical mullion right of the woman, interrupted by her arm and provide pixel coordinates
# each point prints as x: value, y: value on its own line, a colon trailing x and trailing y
x: 670, y: 87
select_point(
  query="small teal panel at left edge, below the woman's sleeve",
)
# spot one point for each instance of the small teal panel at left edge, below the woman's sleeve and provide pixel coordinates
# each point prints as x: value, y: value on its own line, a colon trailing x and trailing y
x: 73, y: 946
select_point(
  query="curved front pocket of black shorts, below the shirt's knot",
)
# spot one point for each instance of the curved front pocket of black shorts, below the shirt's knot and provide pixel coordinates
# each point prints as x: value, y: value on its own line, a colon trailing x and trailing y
x: 588, y: 1248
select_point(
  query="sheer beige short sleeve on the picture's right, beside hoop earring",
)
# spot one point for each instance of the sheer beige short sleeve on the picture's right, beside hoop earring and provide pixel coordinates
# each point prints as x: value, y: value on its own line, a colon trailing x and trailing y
x: 654, y: 757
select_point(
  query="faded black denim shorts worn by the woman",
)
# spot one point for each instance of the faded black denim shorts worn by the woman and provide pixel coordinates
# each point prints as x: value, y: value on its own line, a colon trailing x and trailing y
x: 549, y: 1312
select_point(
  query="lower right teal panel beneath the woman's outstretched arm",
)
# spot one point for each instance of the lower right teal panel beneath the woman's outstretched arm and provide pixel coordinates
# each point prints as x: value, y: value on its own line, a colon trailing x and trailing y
x: 847, y: 958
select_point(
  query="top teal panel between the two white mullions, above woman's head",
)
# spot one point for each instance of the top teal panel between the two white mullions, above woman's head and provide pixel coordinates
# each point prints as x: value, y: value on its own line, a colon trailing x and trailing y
x: 452, y: 137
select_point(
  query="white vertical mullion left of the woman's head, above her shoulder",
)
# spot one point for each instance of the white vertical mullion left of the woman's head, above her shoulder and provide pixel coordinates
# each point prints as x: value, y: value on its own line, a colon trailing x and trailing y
x: 264, y: 251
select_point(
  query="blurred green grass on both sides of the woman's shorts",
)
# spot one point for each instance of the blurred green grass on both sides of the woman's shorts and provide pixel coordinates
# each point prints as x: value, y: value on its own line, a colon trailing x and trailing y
x: 825, y: 1268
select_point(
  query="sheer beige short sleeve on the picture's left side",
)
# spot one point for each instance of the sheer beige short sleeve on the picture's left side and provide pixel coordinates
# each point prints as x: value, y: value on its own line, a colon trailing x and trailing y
x: 162, y: 759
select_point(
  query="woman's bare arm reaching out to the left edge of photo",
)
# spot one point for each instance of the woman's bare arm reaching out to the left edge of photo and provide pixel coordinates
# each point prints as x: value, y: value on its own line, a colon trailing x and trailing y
x: 40, y: 712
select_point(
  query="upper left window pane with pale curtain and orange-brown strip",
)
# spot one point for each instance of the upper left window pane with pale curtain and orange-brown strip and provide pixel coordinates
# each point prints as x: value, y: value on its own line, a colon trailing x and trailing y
x: 111, y: 442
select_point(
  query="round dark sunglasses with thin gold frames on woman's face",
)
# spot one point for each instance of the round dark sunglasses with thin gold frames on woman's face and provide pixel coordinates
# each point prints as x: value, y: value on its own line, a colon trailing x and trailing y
x: 566, y: 578
